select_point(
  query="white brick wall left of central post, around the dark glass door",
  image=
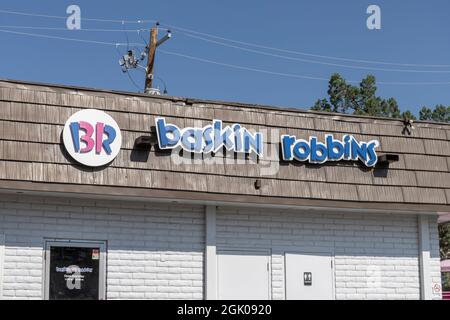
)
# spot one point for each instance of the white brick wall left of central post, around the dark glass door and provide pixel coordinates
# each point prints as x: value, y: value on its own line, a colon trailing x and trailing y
x: 154, y: 251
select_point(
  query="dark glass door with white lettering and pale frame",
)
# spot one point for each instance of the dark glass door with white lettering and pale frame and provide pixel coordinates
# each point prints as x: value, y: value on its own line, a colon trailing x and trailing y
x: 74, y: 270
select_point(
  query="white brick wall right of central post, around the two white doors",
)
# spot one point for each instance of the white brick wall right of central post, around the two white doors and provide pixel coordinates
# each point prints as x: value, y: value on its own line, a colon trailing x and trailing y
x: 376, y: 256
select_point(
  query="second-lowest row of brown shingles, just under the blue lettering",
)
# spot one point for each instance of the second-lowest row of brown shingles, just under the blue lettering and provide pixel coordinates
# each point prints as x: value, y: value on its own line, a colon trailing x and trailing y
x: 338, y: 173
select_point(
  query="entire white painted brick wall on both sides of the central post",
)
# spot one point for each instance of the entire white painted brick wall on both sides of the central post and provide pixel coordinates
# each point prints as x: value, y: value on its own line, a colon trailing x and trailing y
x: 156, y: 251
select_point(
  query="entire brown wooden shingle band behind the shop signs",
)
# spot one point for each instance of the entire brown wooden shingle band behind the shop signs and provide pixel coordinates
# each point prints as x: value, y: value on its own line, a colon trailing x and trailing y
x: 32, y: 119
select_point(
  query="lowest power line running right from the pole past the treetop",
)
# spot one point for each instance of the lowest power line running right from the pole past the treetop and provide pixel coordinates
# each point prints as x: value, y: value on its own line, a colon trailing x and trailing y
x: 290, y: 75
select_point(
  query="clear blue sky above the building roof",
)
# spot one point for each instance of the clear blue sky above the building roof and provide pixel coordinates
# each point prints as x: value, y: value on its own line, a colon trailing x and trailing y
x: 412, y: 32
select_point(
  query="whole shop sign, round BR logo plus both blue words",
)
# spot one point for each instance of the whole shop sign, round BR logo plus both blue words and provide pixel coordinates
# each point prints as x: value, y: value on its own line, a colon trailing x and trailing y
x: 93, y: 138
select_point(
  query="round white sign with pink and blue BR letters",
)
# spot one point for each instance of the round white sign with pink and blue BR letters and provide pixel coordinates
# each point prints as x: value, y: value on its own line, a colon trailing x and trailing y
x: 92, y: 137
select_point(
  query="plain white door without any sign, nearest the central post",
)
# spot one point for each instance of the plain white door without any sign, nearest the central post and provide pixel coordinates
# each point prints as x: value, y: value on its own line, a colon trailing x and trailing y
x: 243, y: 275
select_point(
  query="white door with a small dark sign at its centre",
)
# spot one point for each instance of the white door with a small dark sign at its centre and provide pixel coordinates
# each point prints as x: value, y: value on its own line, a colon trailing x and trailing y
x: 320, y: 268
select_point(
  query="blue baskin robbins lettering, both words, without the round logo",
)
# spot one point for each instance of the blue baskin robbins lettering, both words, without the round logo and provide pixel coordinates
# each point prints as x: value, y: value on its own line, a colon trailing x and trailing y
x: 237, y: 138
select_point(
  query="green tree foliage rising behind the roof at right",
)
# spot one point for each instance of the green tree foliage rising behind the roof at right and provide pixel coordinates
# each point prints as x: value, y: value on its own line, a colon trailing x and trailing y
x: 362, y: 100
